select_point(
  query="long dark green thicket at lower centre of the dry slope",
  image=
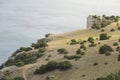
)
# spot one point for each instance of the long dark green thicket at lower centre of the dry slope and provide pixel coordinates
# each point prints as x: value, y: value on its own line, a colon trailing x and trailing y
x: 52, y: 65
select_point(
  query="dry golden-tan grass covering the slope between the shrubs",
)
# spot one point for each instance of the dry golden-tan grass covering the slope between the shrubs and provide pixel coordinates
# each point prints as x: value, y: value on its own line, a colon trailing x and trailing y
x: 83, y: 66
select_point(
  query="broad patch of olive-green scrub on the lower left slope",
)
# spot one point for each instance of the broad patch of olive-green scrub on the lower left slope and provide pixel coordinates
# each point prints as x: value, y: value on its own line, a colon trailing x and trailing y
x: 23, y: 59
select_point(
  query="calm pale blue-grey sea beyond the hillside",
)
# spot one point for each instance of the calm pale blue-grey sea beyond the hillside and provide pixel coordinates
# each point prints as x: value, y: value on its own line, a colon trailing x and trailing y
x: 24, y: 21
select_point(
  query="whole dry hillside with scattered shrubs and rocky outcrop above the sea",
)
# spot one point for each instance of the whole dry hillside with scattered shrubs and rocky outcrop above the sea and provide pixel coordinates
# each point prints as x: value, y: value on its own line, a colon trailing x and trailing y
x: 78, y: 55
